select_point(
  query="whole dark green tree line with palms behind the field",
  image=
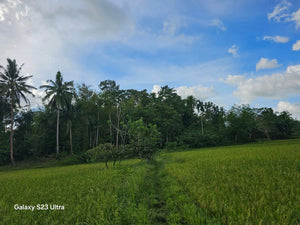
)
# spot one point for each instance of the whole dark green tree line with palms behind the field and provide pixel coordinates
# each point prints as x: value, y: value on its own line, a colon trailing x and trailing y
x: 111, y: 123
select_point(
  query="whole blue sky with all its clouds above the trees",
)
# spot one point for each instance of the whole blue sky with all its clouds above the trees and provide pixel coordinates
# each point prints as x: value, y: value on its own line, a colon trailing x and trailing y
x: 225, y: 51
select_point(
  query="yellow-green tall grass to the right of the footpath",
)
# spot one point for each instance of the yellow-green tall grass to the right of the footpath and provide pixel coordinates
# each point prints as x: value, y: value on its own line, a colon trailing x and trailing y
x: 247, y: 184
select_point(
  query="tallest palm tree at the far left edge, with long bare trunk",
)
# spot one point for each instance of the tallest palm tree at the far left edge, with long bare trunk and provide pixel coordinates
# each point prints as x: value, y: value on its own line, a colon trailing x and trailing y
x: 13, y: 88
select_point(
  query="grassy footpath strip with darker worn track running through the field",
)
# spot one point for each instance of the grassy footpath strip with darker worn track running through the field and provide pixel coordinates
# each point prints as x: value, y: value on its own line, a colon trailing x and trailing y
x: 167, y: 200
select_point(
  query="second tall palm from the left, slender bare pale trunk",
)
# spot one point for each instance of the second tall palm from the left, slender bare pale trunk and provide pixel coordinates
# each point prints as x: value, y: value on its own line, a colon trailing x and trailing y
x: 58, y: 93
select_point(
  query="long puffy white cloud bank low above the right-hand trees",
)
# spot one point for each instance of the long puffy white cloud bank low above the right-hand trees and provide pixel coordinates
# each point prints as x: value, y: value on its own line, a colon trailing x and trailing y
x: 275, y: 86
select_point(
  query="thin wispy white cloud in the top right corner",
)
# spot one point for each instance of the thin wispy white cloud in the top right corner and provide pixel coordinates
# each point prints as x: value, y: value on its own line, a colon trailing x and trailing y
x: 281, y: 13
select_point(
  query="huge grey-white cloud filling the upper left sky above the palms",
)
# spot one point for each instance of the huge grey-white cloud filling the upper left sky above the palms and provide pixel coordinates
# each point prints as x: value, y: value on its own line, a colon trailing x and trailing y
x: 50, y: 36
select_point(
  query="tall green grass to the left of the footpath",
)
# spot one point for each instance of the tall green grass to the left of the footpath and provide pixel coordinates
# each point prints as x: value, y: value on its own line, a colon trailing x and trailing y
x: 90, y: 194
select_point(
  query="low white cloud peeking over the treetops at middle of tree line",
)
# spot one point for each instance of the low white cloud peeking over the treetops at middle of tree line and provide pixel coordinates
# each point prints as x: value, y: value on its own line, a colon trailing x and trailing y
x: 198, y: 91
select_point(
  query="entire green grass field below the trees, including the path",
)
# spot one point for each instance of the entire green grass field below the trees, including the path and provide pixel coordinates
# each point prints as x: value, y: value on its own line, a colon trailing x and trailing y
x: 246, y: 184
